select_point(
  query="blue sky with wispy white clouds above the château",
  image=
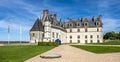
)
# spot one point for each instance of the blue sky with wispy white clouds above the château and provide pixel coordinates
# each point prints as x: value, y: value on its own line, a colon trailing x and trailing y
x: 23, y: 13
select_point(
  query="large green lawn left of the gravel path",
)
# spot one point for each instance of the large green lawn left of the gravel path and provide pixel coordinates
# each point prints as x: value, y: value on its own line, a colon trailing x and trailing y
x: 21, y: 53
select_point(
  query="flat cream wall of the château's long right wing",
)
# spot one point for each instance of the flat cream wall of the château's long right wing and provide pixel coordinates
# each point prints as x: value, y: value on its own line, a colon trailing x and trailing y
x: 91, y: 36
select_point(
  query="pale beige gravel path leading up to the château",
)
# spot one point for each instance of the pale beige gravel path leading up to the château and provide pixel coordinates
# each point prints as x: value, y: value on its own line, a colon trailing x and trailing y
x: 72, y: 54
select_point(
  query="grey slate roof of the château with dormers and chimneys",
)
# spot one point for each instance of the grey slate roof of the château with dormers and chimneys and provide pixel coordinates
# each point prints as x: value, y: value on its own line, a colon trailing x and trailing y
x: 38, y: 26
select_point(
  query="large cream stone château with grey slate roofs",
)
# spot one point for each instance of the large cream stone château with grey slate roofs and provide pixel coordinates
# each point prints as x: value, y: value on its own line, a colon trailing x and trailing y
x: 47, y: 29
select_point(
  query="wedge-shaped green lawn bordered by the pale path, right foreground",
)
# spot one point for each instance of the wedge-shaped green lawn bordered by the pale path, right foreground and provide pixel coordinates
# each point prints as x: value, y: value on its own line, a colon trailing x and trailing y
x: 99, y: 49
